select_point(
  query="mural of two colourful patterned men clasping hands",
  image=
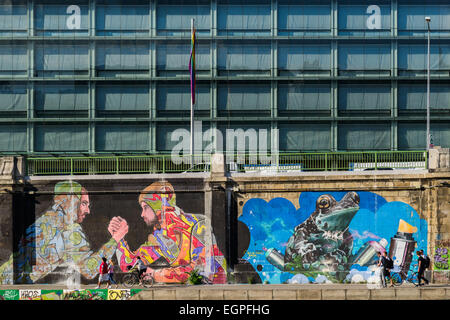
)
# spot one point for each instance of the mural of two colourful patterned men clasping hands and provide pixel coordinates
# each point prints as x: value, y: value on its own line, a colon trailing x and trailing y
x: 174, y: 242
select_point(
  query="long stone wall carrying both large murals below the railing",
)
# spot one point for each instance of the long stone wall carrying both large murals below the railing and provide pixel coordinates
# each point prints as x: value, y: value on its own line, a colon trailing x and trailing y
x: 240, y: 228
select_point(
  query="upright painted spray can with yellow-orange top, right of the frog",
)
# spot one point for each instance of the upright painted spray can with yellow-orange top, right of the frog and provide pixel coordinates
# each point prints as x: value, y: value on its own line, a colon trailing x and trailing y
x: 402, y: 246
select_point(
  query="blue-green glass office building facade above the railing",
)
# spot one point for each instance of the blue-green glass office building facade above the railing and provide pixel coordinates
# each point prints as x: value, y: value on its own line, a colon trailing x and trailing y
x: 111, y: 77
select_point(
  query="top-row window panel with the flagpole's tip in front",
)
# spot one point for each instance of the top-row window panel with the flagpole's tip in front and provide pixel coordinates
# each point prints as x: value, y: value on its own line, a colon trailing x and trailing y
x: 176, y: 19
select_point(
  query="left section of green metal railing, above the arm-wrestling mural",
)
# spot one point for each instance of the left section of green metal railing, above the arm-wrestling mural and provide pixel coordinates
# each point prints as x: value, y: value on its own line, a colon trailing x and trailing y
x: 145, y: 164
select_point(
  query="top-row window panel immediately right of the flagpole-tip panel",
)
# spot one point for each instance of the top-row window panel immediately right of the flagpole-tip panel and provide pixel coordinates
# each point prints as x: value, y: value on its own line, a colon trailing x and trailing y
x: 244, y: 19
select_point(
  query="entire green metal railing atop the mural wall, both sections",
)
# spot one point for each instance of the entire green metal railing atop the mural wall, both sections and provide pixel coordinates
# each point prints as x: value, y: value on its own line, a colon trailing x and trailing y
x: 283, y: 162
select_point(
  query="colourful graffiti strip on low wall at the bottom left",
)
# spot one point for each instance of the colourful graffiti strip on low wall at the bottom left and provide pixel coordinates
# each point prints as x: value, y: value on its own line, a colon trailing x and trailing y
x: 87, y: 294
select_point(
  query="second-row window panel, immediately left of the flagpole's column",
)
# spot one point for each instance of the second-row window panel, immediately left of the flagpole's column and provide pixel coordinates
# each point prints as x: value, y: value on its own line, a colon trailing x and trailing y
x: 122, y: 58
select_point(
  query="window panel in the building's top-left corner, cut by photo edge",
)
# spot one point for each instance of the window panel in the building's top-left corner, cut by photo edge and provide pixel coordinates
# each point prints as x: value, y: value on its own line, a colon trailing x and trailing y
x: 13, y: 19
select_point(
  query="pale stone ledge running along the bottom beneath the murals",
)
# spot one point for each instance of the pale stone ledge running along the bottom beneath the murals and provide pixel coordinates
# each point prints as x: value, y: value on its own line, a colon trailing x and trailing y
x: 276, y: 292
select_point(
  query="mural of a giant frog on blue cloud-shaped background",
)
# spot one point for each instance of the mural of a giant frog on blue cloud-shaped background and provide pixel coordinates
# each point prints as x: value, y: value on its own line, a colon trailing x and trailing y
x: 332, y: 237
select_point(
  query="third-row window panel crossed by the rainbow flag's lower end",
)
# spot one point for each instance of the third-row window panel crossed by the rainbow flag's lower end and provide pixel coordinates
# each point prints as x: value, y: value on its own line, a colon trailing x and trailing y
x: 173, y: 97
